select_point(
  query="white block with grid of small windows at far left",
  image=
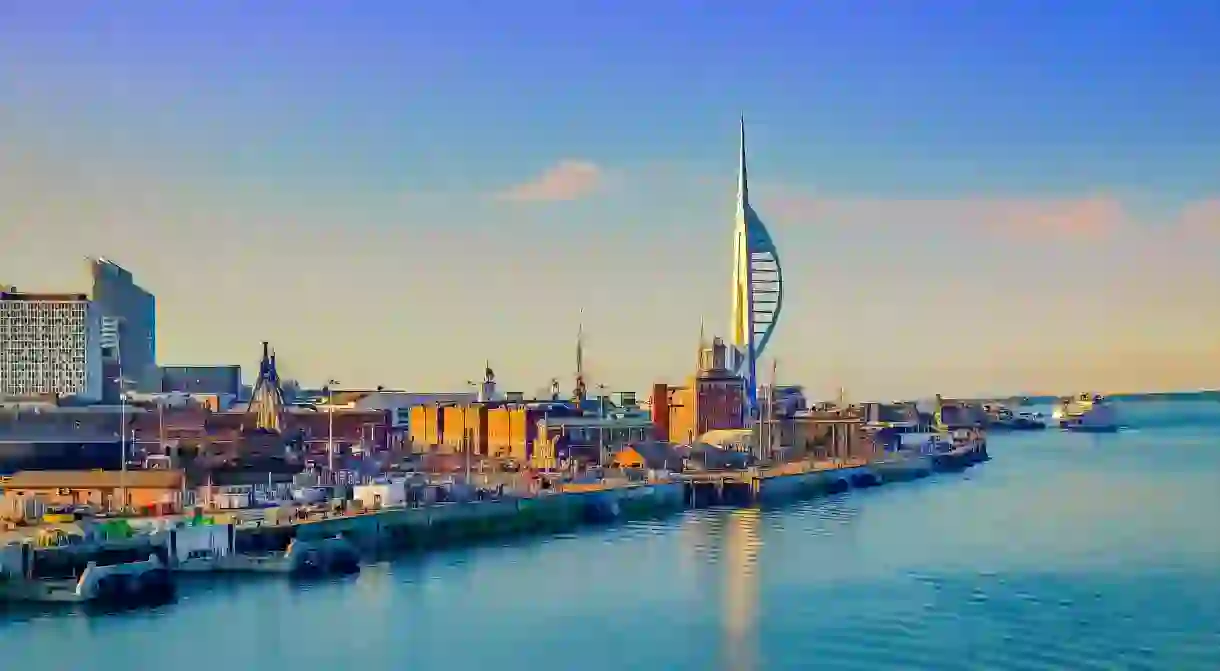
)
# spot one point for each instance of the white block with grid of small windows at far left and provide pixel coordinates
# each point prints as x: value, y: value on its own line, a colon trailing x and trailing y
x: 51, y: 347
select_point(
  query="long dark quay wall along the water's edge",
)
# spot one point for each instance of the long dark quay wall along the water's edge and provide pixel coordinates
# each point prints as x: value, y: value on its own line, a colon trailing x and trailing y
x: 461, y: 523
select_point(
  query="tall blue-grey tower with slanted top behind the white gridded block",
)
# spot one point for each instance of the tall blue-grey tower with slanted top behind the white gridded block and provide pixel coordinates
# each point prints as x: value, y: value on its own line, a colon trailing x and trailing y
x: 130, y: 317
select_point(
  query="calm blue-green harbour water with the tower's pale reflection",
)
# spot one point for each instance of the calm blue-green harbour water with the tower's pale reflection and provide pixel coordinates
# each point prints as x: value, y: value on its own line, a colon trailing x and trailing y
x: 1064, y: 552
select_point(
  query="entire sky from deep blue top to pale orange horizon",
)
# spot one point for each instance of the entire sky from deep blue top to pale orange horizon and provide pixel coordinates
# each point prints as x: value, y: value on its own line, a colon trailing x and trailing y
x: 969, y: 198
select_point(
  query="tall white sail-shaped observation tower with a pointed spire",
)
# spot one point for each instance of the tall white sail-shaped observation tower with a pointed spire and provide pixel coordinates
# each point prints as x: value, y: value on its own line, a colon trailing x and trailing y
x: 758, y: 286
